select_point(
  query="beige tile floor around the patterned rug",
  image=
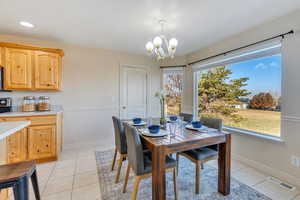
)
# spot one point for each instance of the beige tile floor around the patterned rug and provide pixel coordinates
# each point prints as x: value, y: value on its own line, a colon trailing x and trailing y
x: 74, y: 177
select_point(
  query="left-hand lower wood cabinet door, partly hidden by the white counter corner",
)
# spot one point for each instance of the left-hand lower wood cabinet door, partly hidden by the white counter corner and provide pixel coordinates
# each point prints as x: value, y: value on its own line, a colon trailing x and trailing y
x: 17, y: 146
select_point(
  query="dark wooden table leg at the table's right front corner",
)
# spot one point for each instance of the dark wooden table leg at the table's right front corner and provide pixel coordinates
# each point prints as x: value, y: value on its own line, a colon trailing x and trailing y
x: 224, y: 166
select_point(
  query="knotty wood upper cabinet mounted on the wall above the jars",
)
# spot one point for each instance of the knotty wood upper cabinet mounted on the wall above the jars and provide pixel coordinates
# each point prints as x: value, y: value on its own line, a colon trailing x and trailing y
x: 31, y: 68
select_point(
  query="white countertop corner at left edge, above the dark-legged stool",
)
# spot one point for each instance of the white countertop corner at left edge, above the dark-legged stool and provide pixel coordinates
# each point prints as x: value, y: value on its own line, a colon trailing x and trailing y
x: 8, y: 128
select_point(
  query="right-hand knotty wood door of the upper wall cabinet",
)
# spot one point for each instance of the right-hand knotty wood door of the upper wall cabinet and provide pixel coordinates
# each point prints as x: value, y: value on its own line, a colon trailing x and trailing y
x: 47, y: 70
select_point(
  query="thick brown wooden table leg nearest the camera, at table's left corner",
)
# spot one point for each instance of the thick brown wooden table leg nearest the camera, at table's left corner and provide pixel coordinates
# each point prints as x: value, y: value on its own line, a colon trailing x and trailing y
x: 158, y: 173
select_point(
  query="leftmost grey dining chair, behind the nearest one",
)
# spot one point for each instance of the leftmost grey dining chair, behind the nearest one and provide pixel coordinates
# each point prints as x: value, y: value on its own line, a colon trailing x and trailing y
x: 120, y: 146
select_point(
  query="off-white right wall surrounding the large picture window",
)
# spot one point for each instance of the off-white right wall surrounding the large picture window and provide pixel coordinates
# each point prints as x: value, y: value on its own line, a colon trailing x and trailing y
x: 272, y: 157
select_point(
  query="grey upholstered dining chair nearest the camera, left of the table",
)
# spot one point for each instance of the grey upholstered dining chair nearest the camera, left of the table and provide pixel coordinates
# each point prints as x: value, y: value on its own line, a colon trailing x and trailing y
x: 140, y: 161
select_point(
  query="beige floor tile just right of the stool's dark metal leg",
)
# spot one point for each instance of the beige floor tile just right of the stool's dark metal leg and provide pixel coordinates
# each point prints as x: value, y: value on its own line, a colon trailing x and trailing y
x: 58, y: 185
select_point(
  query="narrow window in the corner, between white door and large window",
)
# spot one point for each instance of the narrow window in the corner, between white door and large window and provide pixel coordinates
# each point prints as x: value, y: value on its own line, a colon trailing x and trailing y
x: 172, y: 85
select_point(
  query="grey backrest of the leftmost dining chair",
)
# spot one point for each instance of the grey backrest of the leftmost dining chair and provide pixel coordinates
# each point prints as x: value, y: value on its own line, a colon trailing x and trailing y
x: 120, y: 137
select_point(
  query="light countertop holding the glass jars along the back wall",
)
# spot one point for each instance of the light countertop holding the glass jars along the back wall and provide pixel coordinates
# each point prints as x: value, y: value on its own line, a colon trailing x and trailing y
x: 54, y: 110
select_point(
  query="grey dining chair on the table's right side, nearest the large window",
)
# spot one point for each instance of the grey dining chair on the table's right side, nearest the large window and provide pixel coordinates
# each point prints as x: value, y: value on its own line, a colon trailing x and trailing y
x: 204, y: 154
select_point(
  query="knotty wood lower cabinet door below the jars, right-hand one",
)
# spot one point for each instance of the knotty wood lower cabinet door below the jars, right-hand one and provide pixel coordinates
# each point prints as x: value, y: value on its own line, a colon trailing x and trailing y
x: 41, y: 142
